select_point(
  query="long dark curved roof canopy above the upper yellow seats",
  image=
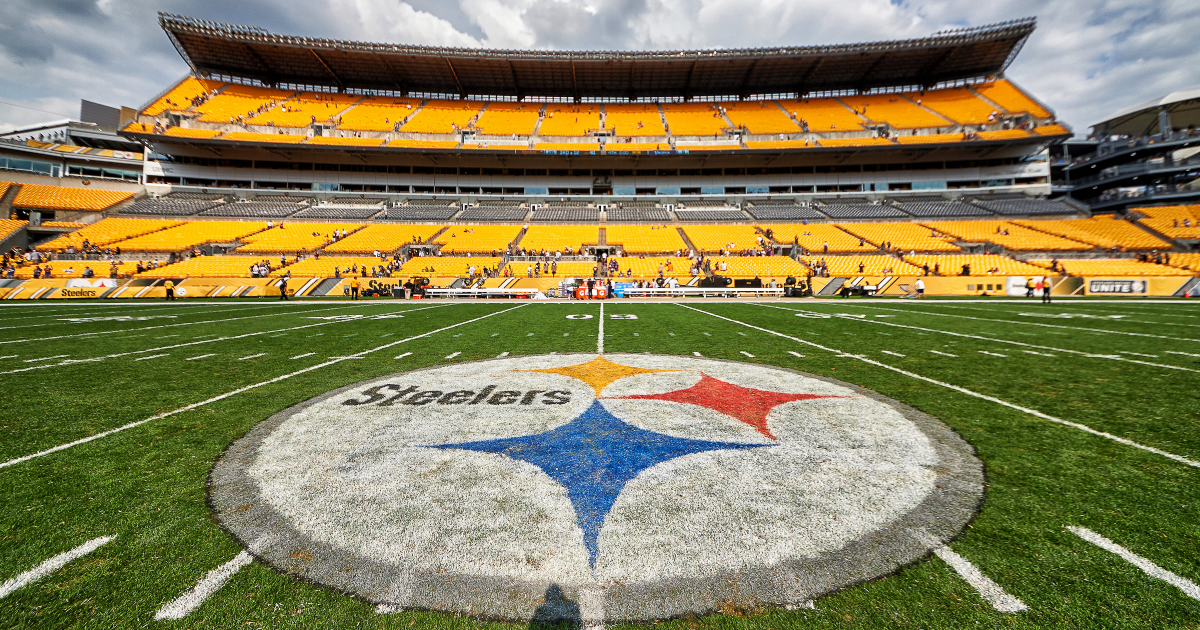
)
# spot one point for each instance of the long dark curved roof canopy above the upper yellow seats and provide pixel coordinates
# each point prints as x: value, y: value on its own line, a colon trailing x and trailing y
x: 250, y: 53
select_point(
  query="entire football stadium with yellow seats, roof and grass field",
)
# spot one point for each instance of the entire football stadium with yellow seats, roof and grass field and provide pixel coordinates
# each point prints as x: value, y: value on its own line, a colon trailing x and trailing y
x: 827, y: 337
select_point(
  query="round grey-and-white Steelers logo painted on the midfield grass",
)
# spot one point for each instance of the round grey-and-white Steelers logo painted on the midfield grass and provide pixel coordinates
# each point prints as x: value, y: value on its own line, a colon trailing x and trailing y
x: 637, y: 487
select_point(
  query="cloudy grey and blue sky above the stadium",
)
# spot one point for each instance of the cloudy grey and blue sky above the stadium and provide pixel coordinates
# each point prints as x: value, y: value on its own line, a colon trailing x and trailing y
x: 1087, y: 61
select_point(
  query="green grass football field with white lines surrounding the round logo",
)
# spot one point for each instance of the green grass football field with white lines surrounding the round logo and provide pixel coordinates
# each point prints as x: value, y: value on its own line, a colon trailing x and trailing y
x: 1085, y: 413
